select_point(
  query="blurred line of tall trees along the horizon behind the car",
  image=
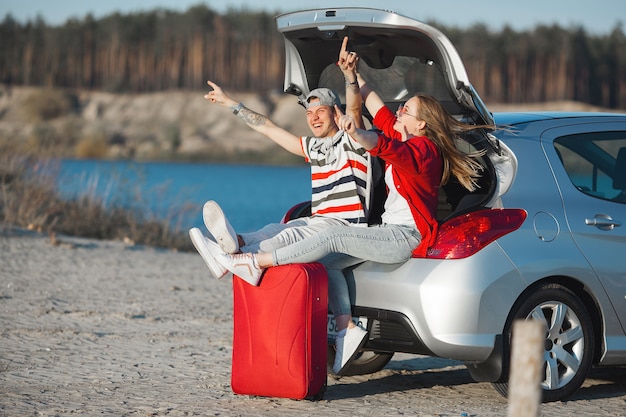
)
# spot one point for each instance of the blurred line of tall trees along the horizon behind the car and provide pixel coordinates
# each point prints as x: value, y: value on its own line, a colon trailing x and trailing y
x: 162, y: 49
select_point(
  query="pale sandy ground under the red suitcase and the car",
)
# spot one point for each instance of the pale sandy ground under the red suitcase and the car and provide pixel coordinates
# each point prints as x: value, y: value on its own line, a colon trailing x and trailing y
x: 105, y: 328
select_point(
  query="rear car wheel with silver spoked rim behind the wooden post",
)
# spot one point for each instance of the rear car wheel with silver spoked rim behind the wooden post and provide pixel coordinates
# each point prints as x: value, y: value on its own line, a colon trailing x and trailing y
x: 566, y: 365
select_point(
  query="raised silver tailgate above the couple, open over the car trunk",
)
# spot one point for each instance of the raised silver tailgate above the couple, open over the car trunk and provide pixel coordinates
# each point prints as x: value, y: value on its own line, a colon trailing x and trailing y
x: 399, y: 57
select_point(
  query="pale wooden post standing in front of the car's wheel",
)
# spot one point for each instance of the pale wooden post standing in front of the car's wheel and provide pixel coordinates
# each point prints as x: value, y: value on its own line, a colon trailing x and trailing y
x: 526, y: 365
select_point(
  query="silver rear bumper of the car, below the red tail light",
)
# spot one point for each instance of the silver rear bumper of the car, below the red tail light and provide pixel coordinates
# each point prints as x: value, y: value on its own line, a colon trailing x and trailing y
x: 454, y: 309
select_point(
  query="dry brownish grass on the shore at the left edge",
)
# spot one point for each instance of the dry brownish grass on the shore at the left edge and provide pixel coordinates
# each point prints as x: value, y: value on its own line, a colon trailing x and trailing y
x: 29, y: 199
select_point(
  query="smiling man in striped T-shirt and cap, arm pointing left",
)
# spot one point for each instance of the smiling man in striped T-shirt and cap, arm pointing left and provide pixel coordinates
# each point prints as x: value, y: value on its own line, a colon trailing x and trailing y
x: 340, y: 176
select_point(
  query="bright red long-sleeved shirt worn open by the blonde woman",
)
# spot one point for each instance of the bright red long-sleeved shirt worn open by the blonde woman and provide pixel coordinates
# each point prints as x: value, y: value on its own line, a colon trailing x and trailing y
x: 417, y: 167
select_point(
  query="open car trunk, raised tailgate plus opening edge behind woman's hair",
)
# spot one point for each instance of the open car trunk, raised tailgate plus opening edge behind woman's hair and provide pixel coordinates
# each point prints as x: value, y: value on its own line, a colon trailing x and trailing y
x: 399, y: 57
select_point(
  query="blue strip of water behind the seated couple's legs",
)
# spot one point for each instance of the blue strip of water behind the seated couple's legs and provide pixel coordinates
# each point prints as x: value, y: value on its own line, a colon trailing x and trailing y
x: 250, y: 195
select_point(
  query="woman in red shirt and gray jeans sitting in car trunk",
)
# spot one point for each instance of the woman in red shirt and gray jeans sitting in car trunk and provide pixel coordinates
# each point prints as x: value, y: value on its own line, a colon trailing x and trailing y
x: 415, y: 168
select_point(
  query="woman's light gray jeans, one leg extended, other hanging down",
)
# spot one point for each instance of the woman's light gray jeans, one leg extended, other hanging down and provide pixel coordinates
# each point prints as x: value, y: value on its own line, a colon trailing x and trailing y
x: 338, y: 247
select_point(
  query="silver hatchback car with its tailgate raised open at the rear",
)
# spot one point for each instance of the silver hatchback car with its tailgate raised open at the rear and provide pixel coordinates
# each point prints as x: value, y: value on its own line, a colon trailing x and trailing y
x: 542, y: 238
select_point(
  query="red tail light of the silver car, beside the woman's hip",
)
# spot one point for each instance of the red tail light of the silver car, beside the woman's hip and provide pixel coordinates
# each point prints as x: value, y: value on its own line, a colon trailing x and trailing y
x: 465, y: 235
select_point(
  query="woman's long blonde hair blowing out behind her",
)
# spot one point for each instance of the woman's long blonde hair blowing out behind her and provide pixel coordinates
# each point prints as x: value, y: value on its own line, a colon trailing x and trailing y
x: 442, y: 128
